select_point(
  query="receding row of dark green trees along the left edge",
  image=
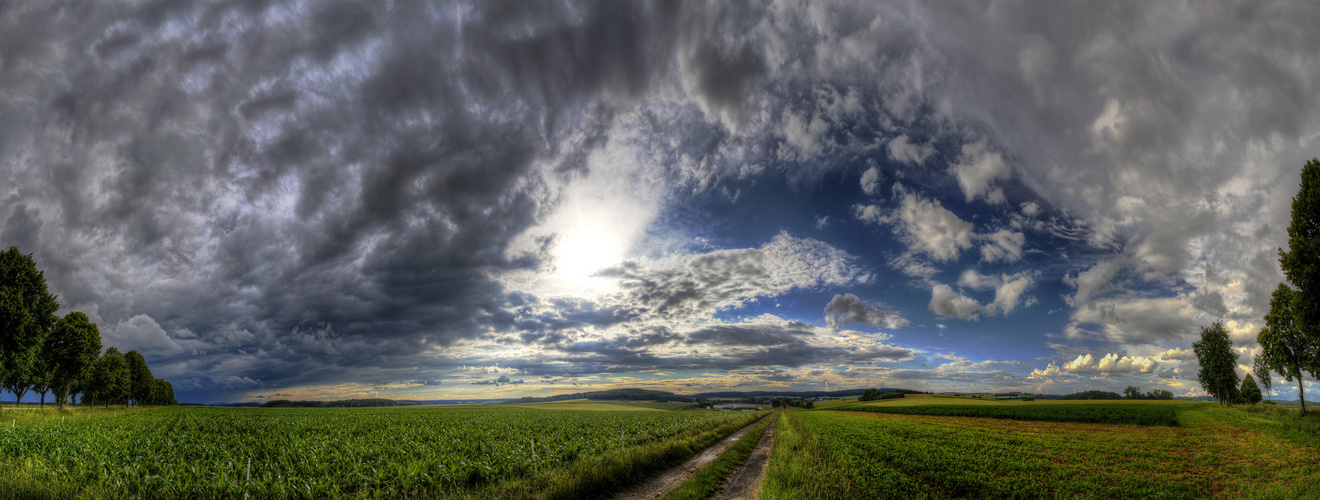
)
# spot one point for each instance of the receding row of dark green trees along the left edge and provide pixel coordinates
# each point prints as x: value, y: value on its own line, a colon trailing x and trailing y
x: 47, y: 354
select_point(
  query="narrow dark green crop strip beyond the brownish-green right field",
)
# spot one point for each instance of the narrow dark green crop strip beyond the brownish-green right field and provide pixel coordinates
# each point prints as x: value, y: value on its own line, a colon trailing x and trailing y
x: 1133, y: 415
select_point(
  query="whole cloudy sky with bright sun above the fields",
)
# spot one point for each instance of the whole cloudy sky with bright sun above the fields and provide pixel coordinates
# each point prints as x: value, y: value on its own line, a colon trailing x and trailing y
x: 407, y: 200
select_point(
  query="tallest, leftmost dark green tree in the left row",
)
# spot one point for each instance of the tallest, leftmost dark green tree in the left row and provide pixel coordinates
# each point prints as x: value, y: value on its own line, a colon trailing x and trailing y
x: 27, y: 313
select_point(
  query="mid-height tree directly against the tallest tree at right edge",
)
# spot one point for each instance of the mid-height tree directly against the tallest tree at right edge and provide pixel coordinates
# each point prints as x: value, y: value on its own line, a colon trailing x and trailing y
x: 1286, y: 348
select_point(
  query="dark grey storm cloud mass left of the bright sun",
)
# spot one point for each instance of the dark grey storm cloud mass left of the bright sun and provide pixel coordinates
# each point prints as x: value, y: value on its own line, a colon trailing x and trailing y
x: 295, y: 164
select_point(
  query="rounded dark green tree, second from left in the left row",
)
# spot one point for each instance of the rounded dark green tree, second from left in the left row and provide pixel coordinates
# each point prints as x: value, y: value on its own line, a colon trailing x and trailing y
x: 71, y: 352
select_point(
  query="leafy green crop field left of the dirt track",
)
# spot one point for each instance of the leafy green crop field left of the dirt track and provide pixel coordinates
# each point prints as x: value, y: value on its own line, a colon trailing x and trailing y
x: 473, y: 452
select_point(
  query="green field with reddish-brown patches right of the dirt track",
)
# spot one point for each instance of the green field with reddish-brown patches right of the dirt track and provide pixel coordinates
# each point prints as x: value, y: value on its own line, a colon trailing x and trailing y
x: 1215, y: 453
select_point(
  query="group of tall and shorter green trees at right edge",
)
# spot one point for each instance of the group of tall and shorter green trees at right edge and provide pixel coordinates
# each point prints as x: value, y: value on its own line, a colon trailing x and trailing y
x: 1290, y: 342
